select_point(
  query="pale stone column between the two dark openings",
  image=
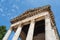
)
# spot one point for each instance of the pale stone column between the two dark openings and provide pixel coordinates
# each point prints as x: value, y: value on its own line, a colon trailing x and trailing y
x: 31, y: 31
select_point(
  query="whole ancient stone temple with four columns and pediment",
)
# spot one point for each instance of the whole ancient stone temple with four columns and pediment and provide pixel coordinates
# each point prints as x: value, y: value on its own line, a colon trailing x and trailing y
x: 34, y: 24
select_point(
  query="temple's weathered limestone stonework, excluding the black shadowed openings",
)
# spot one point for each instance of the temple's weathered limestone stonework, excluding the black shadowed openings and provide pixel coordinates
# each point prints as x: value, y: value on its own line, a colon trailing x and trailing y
x: 30, y: 17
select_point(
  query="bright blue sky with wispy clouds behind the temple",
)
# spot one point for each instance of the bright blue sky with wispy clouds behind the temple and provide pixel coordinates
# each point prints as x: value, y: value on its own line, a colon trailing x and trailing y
x: 12, y: 8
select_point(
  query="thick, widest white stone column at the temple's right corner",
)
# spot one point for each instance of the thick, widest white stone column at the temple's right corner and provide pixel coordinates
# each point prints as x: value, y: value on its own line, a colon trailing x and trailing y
x: 49, y: 33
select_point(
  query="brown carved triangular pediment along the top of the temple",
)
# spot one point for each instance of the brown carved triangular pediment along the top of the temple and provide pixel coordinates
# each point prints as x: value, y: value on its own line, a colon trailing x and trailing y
x: 32, y: 12
